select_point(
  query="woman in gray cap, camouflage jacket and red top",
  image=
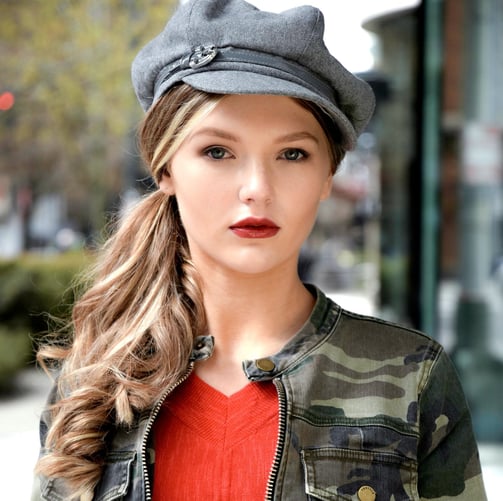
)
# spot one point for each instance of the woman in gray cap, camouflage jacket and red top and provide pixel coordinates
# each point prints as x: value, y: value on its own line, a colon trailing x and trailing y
x: 201, y: 366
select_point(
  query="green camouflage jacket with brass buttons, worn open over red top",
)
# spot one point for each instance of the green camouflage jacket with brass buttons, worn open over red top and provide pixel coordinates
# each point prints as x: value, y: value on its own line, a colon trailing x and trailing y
x: 369, y: 411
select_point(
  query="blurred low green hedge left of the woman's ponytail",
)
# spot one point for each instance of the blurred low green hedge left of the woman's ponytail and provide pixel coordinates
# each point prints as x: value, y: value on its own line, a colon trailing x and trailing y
x: 33, y: 289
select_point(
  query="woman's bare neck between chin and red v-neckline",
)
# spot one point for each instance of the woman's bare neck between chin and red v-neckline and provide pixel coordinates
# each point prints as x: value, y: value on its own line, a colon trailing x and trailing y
x: 250, y: 317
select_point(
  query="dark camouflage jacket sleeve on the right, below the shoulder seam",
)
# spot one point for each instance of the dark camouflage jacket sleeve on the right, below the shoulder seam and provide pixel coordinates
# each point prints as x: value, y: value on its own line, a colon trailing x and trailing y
x: 449, y: 465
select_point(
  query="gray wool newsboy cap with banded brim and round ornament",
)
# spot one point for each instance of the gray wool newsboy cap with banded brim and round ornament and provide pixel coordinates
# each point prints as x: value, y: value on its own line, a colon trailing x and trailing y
x: 231, y: 47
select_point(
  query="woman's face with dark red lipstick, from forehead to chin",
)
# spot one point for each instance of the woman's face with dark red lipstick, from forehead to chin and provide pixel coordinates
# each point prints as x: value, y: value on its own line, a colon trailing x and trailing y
x: 248, y: 180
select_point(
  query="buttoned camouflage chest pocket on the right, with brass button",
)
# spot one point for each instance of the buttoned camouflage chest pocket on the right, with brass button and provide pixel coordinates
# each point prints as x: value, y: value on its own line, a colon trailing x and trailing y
x: 340, y: 474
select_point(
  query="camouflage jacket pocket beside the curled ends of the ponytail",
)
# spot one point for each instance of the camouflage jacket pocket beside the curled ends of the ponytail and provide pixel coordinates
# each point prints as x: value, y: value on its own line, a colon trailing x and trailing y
x: 116, y: 476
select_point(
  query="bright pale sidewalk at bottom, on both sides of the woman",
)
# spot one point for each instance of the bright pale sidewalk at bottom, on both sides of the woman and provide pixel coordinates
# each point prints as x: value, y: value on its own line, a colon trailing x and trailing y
x: 19, y: 415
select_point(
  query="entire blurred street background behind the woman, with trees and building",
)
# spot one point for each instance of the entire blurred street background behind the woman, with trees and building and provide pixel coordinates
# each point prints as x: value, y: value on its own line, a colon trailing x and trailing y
x: 414, y: 229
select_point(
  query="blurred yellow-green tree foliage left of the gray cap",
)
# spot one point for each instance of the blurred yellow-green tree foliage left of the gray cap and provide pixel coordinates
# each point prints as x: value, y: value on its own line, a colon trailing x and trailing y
x: 68, y: 64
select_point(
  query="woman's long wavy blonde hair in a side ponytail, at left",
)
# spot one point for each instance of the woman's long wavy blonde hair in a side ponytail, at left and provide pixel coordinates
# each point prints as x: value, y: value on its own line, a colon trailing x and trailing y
x: 133, y: 330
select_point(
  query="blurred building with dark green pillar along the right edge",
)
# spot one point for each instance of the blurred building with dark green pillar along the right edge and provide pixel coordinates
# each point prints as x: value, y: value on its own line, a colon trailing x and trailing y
x: 439, y: 137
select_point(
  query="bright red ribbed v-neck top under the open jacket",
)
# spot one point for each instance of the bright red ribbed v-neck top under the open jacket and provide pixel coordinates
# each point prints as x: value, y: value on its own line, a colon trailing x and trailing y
x: 213, y: 447
